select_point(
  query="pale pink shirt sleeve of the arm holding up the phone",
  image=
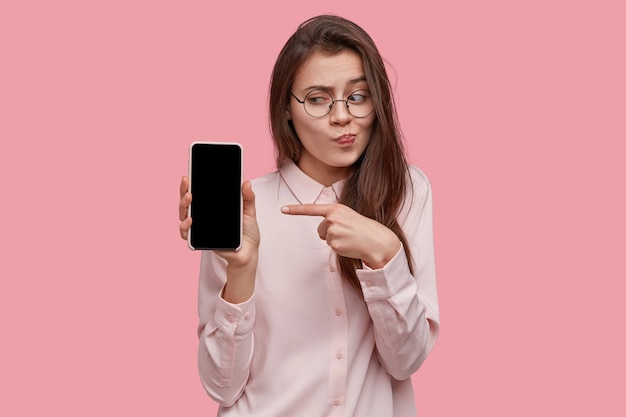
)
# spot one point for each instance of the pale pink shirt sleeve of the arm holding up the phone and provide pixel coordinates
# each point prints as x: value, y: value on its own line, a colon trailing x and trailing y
x: 226, y: 342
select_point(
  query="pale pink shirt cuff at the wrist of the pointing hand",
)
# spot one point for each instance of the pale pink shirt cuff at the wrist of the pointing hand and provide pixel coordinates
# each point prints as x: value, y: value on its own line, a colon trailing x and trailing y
x: 384, y: 282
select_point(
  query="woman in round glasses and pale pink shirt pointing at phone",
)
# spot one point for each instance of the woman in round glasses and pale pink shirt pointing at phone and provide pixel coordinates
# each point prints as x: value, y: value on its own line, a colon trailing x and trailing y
x: 330, y: 304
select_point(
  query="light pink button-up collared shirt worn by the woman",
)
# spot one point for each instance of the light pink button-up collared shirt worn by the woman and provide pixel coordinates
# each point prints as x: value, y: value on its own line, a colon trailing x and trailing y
x: 306, y: 344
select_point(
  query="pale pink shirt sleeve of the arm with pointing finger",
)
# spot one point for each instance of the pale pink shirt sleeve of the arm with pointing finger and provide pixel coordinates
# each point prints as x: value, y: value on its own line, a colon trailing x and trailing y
x: 403, y: 306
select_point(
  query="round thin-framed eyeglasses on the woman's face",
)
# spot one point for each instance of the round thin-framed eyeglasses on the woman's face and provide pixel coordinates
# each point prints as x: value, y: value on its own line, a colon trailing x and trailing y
x: 318, y: 103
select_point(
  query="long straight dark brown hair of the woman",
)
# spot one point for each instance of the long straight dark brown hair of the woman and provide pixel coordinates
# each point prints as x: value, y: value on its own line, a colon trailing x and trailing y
x: 378, y: 185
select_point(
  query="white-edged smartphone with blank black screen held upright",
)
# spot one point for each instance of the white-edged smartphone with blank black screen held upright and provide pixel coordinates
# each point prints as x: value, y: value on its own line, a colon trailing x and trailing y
x: 215, y: 176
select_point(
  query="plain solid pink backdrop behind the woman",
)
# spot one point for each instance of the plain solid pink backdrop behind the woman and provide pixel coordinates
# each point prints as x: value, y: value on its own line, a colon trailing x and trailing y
x: 516, y: 111
